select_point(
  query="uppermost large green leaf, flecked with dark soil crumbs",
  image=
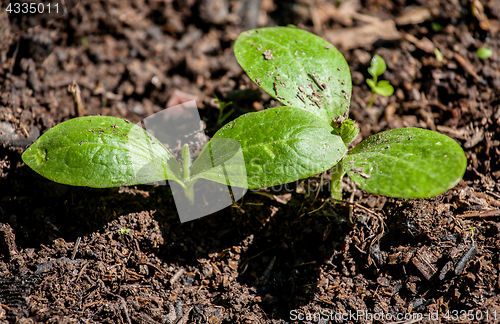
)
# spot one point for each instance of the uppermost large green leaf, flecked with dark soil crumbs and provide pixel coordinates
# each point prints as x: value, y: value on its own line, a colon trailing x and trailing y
x: 297, y: 68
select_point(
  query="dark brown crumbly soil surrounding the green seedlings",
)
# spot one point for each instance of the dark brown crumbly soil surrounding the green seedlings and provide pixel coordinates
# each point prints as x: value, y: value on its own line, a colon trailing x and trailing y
x: 269, y: 256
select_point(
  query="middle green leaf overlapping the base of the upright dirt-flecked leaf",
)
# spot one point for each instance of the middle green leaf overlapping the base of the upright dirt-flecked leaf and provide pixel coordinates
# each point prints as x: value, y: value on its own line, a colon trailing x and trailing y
x: 279, y: 145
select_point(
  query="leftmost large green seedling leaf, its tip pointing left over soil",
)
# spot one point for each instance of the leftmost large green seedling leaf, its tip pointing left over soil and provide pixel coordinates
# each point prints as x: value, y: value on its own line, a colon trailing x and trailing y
x: 100, y: 152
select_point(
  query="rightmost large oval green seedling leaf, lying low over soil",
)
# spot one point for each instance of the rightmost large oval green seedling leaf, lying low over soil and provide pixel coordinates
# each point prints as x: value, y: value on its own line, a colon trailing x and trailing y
x: 406, y: 163
